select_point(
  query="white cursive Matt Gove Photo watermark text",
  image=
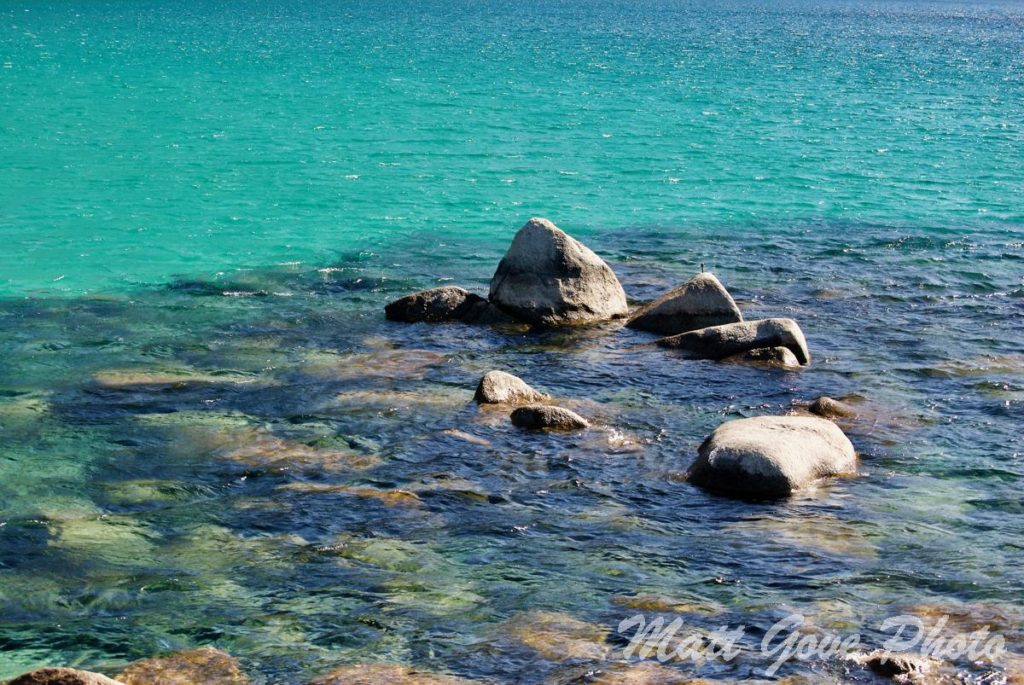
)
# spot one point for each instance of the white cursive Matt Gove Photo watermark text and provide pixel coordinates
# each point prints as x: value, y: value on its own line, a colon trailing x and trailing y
x: 794, y: 638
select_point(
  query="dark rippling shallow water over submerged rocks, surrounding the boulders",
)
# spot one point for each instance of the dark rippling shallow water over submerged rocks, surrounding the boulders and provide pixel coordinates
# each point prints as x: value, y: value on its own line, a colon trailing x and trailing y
x: 139, y: 519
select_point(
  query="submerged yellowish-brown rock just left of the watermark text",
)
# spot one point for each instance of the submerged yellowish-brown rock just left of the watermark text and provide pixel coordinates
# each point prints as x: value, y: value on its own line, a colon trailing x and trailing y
x: 559, y: 637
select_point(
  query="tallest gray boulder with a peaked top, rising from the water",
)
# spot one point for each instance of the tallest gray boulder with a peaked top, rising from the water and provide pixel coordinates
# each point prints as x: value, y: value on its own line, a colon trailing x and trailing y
x: 549, y: 279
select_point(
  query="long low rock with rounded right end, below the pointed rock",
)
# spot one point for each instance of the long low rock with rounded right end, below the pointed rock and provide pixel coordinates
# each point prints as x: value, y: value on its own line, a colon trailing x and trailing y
x: 718, y: 342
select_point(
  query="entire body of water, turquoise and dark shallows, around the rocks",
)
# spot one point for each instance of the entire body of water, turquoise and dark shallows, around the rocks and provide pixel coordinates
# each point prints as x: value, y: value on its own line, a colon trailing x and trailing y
x: 234, y: 191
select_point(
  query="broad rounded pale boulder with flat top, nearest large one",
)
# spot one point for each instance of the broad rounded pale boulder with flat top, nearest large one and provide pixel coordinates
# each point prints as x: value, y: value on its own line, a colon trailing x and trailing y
x: 772, y: 457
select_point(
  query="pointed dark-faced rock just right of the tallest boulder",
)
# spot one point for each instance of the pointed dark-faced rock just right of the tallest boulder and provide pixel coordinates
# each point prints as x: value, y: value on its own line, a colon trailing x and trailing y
x: 699, y: 304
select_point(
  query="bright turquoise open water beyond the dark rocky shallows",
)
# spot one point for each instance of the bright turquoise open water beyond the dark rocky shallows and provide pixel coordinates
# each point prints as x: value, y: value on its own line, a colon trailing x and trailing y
x: 145, y: 140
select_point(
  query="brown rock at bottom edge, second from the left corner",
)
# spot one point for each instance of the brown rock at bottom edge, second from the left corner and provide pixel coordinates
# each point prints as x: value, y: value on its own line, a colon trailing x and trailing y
x: 206, y: 666
